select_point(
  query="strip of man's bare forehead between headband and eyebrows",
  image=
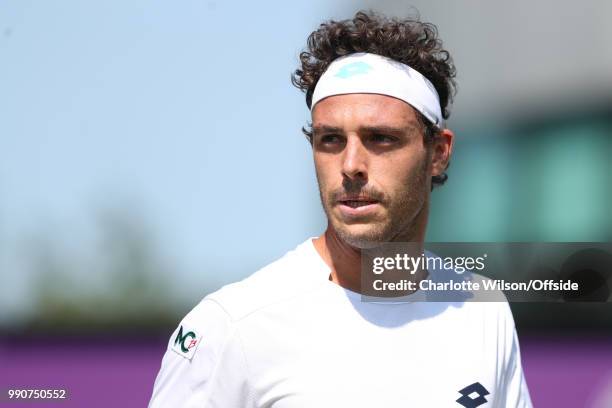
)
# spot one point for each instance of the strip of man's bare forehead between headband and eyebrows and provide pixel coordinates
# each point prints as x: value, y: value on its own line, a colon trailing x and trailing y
x: 363, y: 109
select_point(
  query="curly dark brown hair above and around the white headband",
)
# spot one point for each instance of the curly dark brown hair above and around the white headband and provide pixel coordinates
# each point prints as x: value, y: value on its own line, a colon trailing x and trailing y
x: 410, y: 41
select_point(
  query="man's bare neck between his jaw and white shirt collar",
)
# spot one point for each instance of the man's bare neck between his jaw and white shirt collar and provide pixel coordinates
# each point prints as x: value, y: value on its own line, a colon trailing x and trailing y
x: 344, y: 260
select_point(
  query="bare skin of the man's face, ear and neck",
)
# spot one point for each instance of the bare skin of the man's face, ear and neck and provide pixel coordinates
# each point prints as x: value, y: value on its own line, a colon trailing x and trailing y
x: 374, y: 172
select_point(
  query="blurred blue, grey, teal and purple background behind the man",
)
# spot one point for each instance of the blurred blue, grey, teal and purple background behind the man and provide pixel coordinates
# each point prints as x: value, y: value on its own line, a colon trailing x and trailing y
x: 151, y: 152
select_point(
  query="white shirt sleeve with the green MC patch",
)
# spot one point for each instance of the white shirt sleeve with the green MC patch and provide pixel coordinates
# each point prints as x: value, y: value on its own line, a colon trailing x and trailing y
x: 204, y: 364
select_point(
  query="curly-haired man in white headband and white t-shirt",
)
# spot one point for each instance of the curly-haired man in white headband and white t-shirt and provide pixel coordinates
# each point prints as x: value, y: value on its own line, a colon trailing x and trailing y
x: 297, y: 333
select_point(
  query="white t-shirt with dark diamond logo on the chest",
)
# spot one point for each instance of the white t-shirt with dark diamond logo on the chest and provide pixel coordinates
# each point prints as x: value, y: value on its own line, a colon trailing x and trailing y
x: 288, y: 337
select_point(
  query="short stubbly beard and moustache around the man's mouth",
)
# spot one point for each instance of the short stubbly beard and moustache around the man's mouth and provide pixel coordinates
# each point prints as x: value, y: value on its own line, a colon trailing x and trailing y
x: 404, y: 208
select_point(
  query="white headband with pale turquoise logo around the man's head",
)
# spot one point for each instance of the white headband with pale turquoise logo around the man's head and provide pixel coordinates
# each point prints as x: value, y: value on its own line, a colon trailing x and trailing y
x: 371, y: 73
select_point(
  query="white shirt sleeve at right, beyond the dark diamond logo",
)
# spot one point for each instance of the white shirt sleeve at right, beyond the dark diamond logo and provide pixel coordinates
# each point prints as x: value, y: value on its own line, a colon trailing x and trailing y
x: 514, y: 392
